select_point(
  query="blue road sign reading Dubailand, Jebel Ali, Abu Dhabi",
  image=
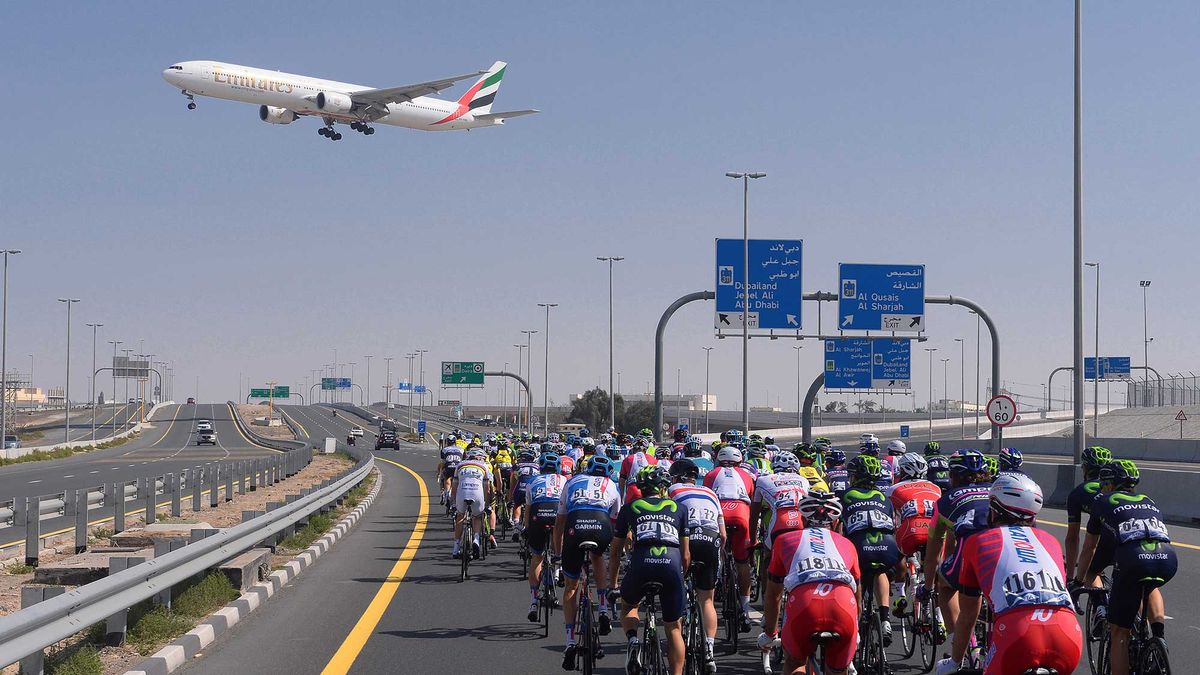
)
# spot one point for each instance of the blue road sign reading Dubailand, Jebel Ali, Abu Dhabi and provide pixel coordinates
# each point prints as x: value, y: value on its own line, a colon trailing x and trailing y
x: 776, y: 294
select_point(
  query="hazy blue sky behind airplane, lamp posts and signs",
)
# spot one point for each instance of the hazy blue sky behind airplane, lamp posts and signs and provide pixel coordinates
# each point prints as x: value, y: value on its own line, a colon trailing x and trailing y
x: 919, y: 133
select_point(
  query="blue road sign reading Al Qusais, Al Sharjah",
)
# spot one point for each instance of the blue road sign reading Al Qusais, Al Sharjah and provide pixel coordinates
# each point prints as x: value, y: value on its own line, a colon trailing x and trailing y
x: 881, y: 297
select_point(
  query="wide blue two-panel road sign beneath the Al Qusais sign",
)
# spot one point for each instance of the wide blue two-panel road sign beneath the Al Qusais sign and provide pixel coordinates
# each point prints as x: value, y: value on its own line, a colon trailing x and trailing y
x: 863, y: 363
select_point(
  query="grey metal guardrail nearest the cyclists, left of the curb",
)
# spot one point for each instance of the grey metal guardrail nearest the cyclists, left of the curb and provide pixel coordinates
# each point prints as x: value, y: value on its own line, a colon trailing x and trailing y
x: 32, y: 630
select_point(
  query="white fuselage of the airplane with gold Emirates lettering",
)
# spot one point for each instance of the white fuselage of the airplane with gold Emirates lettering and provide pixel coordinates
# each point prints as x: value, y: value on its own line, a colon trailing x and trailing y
x: 299, y: 94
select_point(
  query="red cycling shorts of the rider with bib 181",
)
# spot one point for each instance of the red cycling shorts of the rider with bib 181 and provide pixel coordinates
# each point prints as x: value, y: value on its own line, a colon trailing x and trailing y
x: 823, y: 606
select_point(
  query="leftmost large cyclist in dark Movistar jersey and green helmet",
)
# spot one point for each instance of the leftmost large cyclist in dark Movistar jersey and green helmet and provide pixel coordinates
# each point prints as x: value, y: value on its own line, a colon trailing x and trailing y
x: 658, y: 530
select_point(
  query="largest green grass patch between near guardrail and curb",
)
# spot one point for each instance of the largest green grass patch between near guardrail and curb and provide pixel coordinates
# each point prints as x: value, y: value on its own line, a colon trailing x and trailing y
x: 151, y: 628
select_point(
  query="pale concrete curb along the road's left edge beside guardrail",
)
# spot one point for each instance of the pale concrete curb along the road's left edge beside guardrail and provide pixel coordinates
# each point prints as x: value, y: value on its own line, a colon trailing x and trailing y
x: 175, y: 655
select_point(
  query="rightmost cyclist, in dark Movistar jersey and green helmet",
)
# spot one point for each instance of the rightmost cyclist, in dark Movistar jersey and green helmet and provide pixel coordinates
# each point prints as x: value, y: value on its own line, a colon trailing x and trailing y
x: 1143, y: 555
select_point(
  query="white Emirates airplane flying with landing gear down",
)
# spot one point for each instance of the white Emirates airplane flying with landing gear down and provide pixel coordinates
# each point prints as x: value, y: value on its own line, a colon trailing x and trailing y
x: 286, y: 98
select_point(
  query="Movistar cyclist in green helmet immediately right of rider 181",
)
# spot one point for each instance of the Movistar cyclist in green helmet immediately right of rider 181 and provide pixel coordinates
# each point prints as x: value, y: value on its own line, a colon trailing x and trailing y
x: 868, y: 523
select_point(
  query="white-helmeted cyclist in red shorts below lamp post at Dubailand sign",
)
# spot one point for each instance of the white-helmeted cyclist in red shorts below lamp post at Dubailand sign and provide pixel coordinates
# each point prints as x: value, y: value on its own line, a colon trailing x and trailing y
x: 734, y: 487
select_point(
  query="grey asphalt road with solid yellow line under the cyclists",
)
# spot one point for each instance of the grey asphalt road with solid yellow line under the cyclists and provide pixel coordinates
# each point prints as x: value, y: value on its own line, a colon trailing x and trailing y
x: 387, y: 599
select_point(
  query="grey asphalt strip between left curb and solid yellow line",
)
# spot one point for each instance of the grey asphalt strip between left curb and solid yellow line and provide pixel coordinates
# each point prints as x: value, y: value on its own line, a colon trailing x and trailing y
x: 302, y: 628
